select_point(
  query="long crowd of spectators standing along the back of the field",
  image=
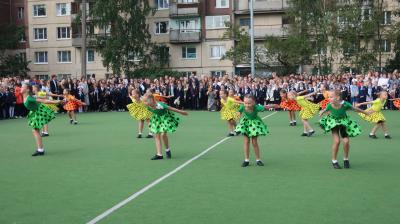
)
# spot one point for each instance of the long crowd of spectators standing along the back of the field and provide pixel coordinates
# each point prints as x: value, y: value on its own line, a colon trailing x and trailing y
x: 193, y: 93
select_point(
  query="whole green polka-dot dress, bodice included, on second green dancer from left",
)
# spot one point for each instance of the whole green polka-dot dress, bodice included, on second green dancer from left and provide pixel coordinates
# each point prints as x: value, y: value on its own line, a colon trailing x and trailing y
x: 163, y: 120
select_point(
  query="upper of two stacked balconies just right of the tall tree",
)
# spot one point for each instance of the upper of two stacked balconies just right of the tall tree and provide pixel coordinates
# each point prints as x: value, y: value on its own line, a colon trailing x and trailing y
x: 178, y: 8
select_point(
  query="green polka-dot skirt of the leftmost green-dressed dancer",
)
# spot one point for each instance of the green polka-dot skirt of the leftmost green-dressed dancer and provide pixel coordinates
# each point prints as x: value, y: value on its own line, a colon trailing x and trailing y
x: 40, y: 117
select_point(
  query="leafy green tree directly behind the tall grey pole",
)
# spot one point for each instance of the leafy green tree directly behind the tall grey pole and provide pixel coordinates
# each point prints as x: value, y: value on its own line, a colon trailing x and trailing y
x: 282, y: 56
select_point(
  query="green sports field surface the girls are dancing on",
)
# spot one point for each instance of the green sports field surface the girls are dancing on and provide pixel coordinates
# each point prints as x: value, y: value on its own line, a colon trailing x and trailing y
x: 90, y: 167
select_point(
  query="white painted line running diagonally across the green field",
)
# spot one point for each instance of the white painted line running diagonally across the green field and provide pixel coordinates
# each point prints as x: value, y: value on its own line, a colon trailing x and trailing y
x: 98, y: 218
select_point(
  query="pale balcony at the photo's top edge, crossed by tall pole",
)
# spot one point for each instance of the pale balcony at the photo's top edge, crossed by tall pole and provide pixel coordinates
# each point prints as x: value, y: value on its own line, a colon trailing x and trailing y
x: 243, y: 6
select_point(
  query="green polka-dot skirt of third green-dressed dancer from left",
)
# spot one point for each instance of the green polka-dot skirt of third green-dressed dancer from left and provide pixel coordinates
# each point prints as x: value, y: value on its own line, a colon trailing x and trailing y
x: 251, y: 128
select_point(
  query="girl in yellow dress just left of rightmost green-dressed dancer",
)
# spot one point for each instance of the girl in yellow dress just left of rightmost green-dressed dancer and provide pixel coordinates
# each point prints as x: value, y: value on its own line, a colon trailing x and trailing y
x: 308, y: 110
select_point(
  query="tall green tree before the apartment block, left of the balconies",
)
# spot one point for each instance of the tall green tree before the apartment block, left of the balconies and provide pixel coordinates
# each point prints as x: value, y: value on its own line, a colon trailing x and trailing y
x: 126, y: 46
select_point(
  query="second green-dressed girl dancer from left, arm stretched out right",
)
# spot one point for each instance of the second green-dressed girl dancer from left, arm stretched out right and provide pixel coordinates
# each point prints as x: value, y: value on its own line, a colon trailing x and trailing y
x: 162, y: 122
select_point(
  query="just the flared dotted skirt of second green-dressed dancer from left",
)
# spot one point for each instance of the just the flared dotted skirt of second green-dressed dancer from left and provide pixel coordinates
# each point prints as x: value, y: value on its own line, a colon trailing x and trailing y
x: 166, y: 123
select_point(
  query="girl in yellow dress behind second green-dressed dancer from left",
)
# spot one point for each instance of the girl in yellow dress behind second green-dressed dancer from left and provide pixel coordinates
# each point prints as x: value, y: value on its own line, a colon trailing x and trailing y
x: 139, y: 111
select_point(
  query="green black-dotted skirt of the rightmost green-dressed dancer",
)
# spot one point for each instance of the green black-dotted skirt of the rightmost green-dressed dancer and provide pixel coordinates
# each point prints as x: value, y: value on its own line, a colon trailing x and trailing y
x: 330, y: 122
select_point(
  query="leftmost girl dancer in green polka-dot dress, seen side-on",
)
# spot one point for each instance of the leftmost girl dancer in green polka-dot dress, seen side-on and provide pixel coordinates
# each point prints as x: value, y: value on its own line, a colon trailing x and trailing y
x: 38, y: 116
